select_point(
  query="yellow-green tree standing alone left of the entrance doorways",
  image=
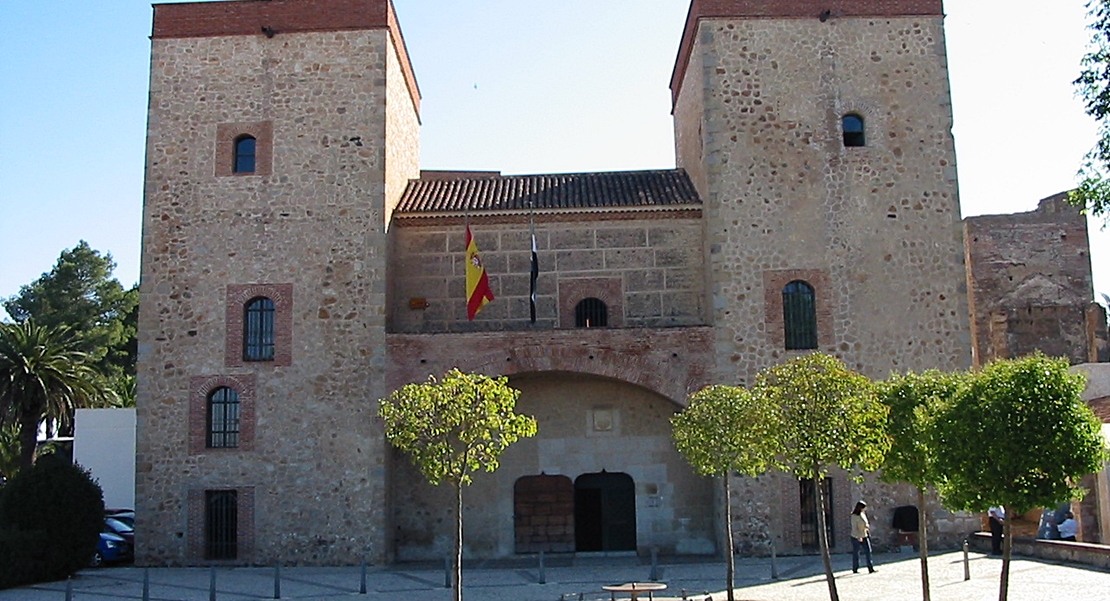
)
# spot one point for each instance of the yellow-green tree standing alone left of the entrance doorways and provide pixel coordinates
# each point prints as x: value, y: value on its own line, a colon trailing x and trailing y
x: 453, y: 428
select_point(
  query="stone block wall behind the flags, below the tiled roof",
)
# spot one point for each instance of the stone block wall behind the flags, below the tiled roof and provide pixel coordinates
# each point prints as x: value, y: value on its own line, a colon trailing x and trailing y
x: 649, y: 272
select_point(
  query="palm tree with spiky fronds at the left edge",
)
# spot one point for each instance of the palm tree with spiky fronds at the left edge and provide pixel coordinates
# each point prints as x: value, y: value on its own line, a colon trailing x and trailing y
x: 44, y: 377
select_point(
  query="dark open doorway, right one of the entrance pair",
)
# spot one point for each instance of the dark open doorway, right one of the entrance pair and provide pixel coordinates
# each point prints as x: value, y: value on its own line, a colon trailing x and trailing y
x: 604, y: 513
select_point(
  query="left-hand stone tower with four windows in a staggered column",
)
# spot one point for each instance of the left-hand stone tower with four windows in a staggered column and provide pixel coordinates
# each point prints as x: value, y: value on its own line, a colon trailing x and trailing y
x: 281, y: 135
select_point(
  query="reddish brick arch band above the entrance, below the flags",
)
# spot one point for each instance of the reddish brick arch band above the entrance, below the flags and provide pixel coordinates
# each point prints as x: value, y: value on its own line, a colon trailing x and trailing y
x: 671, y: 363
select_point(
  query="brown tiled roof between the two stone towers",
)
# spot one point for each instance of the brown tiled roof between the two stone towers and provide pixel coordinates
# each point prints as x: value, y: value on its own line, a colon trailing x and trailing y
x: 609, y: 191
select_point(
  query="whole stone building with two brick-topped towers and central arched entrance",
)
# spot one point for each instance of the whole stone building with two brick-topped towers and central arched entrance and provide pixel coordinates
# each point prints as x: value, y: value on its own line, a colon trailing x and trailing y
x: 298, y: 266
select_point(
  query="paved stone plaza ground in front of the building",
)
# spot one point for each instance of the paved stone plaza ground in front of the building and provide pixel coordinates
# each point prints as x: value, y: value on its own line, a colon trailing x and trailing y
x: 801, y: 579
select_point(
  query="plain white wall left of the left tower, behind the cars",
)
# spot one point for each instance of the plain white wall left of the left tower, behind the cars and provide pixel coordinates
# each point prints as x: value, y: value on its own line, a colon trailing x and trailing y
x: 105, y: 444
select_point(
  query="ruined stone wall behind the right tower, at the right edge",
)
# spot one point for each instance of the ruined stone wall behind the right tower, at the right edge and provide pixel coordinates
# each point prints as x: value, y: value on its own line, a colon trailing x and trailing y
x: 1031, y: 283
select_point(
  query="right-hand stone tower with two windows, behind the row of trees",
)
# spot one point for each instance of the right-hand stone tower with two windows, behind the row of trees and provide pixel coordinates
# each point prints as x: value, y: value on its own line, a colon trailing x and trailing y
x: 819, y: 135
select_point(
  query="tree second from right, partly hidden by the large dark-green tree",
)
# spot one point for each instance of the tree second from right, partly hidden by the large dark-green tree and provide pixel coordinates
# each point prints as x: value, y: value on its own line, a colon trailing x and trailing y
x: 913, y: 400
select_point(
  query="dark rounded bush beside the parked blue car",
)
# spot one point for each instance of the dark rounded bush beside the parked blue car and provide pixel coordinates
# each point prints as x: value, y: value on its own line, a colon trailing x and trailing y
x: 51, y: 523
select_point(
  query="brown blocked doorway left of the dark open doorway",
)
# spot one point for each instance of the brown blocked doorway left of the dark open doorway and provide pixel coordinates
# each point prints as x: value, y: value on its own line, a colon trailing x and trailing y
x: 543, y: 514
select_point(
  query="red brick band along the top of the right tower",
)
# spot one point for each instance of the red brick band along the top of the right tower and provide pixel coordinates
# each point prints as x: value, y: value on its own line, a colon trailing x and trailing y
x: 789, y: 9
